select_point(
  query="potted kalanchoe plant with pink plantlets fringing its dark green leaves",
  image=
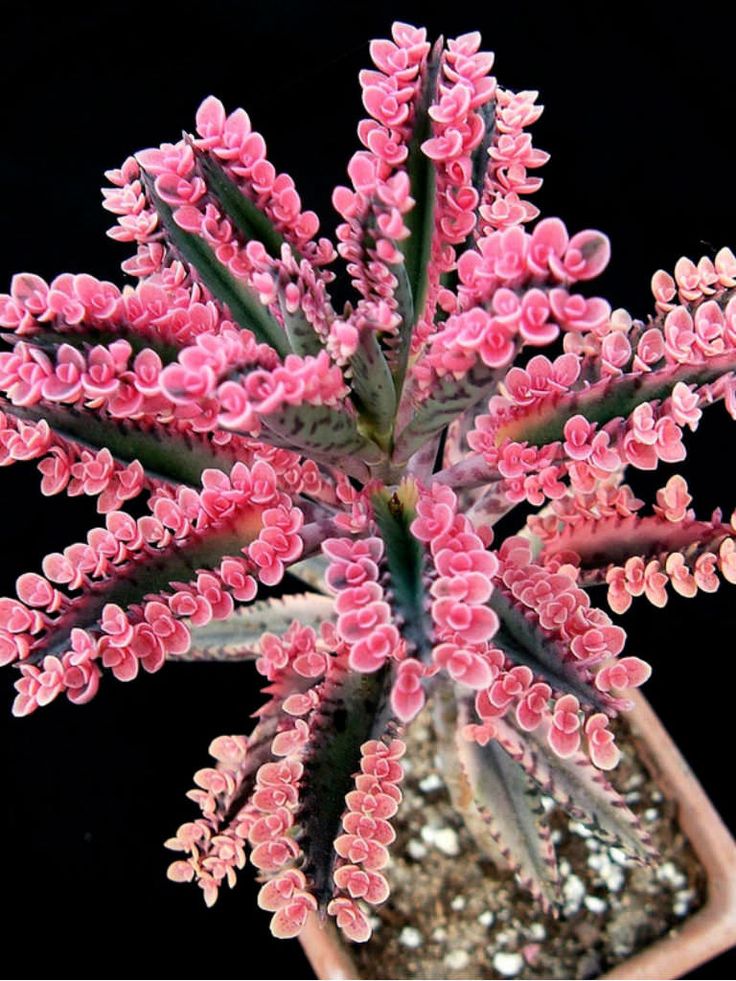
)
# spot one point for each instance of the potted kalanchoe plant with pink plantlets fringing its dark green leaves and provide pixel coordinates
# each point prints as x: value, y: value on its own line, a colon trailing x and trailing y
x: 369, y: 452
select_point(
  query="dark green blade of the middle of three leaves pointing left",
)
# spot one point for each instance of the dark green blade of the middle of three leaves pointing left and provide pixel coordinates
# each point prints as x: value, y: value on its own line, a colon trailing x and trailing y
x: 162, y: 452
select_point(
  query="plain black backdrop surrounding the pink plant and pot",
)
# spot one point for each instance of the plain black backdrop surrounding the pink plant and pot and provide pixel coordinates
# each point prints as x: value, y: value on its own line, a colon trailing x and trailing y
x: 639, y: 123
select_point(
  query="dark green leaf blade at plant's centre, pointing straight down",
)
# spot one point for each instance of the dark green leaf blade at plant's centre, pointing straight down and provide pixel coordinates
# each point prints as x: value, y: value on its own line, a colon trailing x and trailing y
x: 405, y: 557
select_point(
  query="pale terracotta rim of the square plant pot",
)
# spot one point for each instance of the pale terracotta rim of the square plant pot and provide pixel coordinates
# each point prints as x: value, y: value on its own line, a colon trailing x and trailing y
x: 702, y: 936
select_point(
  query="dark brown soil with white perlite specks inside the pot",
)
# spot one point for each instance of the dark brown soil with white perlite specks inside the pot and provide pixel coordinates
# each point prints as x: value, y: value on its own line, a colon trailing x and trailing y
x: 453, y: 914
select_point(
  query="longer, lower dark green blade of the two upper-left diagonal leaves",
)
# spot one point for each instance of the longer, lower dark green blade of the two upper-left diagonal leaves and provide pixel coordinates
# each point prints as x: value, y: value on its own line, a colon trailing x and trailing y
x: 244, y: 306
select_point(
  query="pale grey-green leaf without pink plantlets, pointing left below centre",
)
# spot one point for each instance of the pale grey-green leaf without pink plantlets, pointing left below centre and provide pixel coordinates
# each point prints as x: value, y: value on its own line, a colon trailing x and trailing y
x: 238, y: 638
